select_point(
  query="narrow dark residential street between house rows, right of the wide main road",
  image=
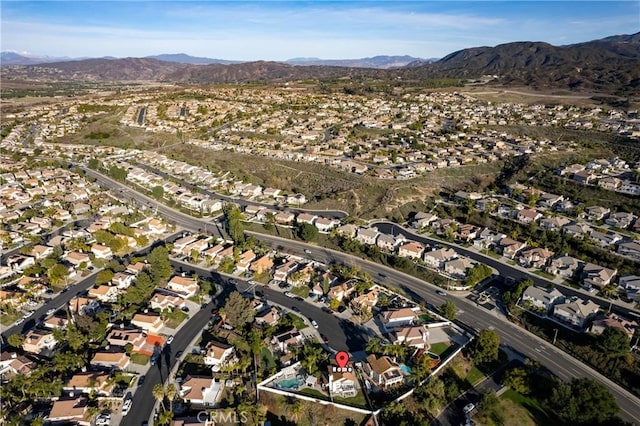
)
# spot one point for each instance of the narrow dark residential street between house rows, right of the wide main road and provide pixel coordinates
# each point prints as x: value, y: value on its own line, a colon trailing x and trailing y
x: 504, y: 269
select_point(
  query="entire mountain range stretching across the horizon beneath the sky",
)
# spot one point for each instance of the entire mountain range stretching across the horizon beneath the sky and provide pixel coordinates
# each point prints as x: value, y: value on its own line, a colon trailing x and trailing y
x: 611, y: 64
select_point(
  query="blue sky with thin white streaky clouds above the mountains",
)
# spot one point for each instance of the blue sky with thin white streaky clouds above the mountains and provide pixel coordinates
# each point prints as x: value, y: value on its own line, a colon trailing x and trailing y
x: 273, y: 30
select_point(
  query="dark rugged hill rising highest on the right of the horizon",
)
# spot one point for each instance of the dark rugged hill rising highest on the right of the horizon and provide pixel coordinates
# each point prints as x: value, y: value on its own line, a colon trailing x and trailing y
x: 609, y: 65
